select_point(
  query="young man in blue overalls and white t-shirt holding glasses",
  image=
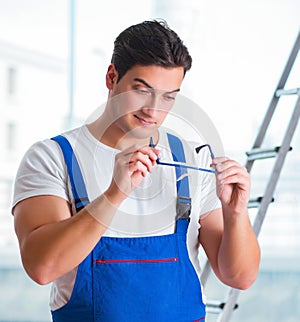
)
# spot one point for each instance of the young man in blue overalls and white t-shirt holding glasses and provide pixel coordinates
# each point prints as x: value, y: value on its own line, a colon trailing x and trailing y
x: 110, y: 240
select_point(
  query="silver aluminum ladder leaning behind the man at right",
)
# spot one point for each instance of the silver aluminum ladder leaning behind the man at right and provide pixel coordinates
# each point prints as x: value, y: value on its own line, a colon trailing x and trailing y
x: 225, y: 309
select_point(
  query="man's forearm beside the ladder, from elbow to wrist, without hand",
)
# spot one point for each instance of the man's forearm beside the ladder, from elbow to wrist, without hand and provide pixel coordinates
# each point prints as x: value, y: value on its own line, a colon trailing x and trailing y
x: 239, y: 254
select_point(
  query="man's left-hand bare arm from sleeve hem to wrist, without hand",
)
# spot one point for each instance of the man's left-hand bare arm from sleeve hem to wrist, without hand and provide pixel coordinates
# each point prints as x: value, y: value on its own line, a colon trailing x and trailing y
x: 51, y: 241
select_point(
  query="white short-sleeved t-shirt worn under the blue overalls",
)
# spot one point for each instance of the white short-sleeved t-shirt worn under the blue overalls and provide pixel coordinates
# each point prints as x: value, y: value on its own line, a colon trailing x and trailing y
x: 150, y: 209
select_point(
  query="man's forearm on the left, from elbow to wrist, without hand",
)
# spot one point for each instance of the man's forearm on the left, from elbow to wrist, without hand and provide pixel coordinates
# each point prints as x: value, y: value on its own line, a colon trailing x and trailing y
x: 54, y: 249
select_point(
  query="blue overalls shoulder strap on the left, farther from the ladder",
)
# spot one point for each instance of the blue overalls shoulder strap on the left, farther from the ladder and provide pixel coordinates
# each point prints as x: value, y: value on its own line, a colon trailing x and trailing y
x: 76, y: 179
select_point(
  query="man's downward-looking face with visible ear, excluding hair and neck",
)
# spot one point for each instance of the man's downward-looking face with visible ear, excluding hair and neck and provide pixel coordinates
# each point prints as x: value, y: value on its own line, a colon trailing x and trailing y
x: 140, y: 101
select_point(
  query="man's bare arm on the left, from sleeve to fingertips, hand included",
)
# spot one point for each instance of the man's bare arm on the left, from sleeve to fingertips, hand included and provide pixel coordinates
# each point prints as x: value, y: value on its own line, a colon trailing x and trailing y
x: 52, y: 242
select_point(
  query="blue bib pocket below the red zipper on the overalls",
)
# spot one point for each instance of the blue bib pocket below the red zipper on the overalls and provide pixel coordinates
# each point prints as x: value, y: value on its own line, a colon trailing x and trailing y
x: 136, y: 291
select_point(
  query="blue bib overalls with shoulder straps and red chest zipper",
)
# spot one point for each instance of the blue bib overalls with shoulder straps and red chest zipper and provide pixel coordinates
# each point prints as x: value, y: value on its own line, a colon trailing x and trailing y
x: 149, y: 279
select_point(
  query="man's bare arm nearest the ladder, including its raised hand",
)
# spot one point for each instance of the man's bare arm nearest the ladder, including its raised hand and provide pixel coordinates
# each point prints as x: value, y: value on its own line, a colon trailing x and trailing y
x: 226, y: 235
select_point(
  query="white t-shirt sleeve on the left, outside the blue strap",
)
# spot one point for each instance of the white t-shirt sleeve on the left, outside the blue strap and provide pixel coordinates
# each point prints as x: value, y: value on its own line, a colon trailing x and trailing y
x: 42, y: 171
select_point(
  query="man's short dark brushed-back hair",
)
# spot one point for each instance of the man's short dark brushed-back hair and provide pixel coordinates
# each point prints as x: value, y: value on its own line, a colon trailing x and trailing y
x: 149, y: 43
